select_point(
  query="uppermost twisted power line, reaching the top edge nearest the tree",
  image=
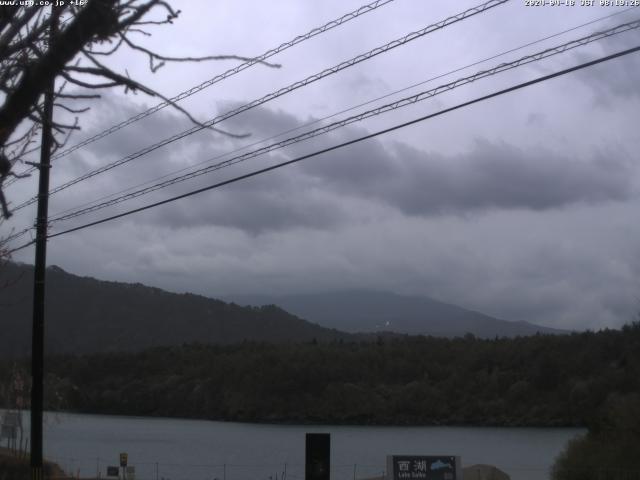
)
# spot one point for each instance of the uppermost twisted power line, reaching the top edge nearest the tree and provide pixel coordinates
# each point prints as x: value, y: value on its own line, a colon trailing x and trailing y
x: 232, y: 71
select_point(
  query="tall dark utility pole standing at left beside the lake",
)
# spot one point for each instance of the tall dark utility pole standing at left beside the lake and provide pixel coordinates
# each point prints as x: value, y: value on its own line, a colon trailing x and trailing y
x: 37, y: 334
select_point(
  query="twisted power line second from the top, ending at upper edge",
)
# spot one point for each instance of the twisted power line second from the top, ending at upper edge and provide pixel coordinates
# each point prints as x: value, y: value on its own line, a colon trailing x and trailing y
x: 271, y: 96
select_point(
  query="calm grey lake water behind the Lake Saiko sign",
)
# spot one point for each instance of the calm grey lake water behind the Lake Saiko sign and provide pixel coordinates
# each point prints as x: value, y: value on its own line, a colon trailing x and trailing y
x: 176, y: 449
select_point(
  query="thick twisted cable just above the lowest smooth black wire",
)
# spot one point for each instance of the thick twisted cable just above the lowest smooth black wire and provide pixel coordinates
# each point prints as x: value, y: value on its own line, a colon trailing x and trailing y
x: 361, y: 116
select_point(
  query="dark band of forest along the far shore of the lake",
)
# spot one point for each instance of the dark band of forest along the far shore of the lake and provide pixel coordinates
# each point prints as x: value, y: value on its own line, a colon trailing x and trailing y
x: 527, y: 381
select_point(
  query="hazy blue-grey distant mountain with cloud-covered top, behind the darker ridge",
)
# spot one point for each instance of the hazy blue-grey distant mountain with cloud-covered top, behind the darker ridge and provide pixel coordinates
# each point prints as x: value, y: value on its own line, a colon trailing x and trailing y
x: 371, y: 311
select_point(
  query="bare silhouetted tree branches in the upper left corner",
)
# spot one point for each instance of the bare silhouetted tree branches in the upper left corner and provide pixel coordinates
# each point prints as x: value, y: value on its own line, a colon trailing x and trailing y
x: 74, y: 51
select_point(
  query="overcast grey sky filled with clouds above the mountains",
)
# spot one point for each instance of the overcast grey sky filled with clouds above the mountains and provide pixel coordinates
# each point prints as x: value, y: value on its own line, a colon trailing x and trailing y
x: 524, y: 206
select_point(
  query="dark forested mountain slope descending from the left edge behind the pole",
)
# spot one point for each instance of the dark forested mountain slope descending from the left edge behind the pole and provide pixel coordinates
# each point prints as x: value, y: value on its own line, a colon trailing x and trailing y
x: 88, y: 315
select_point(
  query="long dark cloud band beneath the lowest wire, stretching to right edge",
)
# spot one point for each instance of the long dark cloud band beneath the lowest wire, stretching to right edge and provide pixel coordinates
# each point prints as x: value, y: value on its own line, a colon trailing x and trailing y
x: 324, y: 192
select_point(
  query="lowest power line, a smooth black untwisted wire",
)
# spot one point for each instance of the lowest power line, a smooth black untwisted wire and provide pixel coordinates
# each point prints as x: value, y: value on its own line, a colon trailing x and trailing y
x: 350, y: 142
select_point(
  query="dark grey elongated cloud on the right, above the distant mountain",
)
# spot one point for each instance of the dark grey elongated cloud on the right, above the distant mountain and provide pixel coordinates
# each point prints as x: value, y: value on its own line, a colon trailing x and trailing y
x: 489, y: 176
